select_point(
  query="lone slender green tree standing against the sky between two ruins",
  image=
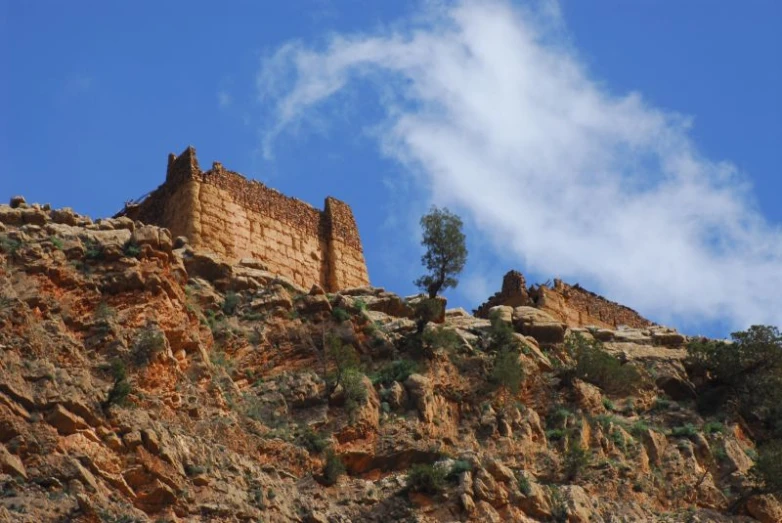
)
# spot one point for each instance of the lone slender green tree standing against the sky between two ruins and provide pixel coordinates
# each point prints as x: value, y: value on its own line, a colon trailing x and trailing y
x: 446, y: 252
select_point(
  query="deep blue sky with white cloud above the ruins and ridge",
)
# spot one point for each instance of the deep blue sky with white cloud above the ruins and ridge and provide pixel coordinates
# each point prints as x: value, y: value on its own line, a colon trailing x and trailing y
x: 631, y: 147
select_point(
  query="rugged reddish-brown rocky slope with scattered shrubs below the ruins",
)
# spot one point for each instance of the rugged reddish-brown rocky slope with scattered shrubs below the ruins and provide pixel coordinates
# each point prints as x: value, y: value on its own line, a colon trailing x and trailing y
x: 142, y: 381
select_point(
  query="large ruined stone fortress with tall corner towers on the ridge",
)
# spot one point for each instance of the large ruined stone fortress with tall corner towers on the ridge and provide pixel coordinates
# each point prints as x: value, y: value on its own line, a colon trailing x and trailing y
x: 223, y: 212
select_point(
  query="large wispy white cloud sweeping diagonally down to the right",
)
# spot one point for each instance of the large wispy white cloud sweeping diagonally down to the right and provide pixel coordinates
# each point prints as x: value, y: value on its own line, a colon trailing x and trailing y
x: 492, y: 110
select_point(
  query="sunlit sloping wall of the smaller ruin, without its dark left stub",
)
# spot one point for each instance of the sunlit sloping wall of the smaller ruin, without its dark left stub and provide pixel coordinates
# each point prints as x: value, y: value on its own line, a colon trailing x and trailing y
x: 579, y: 307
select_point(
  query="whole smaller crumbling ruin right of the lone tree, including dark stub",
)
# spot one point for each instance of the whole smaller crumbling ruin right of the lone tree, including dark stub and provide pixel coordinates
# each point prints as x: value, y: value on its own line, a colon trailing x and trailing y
x: 571, y: 304
